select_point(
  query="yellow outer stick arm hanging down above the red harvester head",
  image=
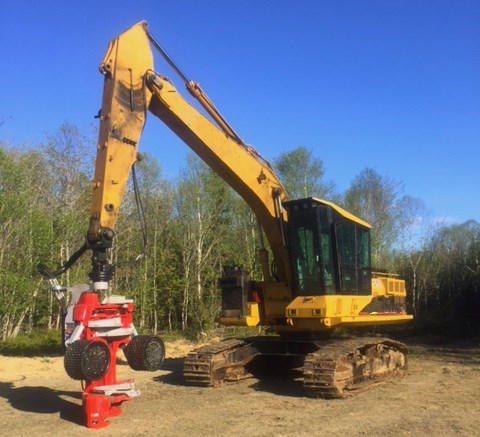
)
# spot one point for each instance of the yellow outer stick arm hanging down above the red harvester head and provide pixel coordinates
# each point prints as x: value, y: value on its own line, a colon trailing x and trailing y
x: 122, y: 117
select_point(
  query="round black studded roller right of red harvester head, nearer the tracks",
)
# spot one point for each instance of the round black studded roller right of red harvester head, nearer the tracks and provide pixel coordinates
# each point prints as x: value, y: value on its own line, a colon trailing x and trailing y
x: 145, y: 352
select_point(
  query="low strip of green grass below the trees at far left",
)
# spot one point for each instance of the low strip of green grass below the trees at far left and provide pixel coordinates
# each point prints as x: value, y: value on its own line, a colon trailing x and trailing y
x: 36, y: 344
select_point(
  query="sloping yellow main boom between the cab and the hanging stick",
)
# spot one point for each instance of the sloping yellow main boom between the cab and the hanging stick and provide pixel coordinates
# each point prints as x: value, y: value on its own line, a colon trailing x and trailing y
x: 237, y: 164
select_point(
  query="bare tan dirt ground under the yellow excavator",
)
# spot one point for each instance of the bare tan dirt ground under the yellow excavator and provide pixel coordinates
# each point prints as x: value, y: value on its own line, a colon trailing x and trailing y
x: 439, y: 395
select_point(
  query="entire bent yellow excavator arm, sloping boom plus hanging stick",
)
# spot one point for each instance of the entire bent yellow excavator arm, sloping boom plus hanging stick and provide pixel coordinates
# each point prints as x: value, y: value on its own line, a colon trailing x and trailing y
x: 131, y: 87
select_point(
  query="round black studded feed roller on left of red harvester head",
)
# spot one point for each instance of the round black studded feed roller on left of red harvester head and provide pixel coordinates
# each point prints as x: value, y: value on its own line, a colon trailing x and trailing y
x: 87, y: 360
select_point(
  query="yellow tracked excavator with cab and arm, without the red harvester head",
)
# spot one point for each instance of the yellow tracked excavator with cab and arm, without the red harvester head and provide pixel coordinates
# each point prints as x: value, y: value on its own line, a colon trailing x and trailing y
x: 320, y: 276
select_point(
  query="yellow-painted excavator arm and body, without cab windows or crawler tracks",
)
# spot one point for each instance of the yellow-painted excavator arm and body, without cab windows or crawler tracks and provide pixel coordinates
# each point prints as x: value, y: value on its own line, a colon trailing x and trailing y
x: 131, y: 89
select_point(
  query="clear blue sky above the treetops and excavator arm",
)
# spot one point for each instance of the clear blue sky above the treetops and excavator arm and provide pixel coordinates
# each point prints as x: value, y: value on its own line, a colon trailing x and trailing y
x: 393, y: 85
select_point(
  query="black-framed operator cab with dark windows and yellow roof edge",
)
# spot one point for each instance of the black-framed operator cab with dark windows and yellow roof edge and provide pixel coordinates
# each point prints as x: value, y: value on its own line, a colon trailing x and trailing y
x: 330, y: 249
